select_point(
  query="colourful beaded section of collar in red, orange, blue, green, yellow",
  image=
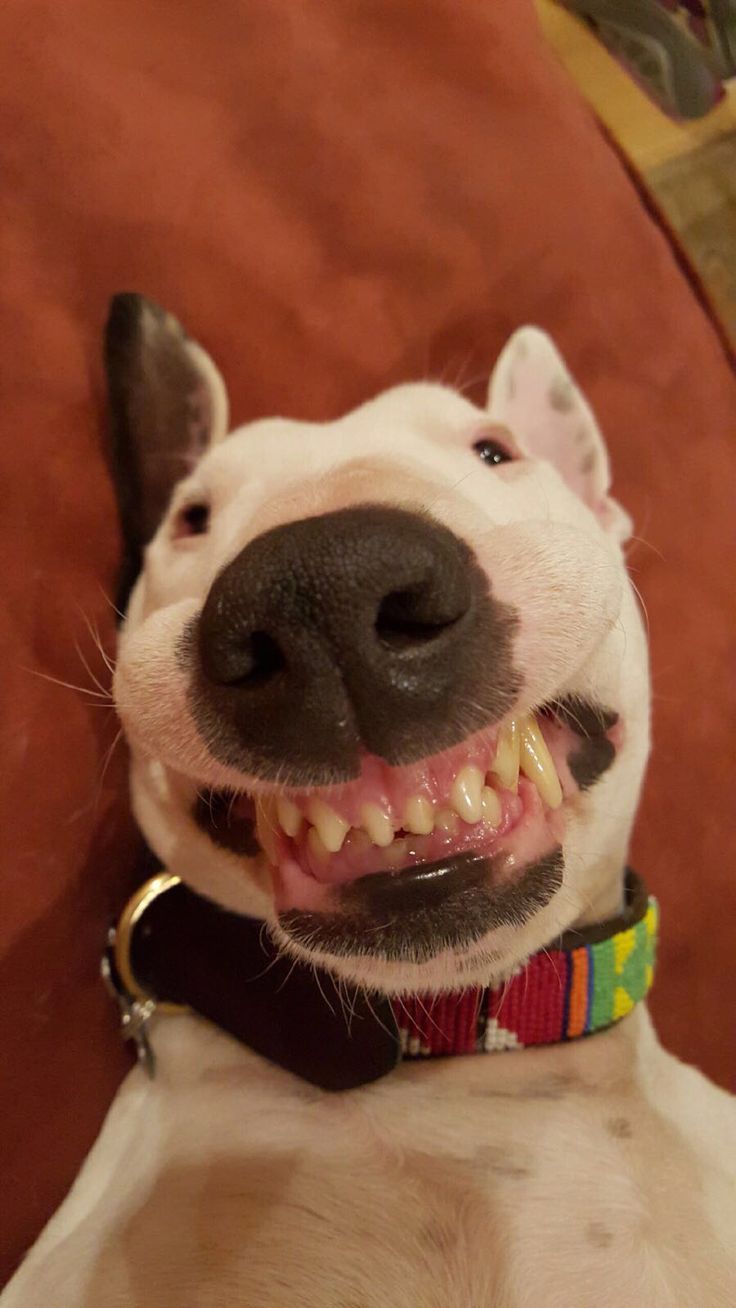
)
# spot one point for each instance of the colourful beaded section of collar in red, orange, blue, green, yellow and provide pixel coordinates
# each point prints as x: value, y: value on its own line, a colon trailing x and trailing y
x: 560, y: 995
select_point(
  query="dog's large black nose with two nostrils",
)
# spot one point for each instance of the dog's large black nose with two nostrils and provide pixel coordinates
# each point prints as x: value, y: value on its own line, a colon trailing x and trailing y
x: 371, y: 628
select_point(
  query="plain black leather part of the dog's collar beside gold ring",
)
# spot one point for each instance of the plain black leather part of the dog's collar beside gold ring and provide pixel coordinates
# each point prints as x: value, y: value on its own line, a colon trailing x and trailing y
x: 180, y: 949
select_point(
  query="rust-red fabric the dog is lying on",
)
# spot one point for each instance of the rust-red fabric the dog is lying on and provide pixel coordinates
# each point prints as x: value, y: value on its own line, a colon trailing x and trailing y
x: 334, y: 197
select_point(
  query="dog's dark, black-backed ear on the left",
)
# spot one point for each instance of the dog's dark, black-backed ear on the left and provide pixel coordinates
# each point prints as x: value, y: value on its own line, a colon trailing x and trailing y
x: 168, y: 404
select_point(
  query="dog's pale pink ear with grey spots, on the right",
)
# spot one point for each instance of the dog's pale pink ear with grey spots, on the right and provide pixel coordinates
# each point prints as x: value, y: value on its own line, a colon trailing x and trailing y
x: 534, y: 396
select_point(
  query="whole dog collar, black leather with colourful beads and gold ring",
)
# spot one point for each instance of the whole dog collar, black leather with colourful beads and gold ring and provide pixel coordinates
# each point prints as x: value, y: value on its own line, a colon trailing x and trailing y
x: 173, y: 950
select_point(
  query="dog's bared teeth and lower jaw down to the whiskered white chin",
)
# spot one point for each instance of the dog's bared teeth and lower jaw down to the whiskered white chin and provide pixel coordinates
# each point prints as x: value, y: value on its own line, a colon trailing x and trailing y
x: 466, y: 899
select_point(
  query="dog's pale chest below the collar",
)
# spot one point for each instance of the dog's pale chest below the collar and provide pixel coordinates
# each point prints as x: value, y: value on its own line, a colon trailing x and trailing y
x: 467, y: 1184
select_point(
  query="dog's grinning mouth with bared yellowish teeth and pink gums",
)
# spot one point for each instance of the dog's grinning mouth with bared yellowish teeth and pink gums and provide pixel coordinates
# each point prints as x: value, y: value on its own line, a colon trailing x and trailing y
x: 495, y: 804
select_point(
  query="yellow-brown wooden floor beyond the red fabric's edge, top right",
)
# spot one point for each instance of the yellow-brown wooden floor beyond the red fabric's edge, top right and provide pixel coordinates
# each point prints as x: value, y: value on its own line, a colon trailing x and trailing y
x: 691, y: 168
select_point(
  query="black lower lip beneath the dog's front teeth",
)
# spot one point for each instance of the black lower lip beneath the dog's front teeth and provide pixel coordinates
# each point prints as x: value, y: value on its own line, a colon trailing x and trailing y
x: 418, y: 914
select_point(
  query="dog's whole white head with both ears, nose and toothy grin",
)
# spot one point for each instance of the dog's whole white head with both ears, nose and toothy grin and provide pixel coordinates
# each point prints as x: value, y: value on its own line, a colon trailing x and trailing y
x: 384, y: 680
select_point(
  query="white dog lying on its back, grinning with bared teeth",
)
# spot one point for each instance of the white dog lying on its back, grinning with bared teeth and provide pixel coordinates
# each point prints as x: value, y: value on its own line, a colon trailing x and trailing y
x: 385, y: 685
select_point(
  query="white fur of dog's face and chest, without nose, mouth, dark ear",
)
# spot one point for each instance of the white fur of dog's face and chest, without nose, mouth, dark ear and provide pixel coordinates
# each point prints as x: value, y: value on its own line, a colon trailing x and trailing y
x: 602, y: 1173
